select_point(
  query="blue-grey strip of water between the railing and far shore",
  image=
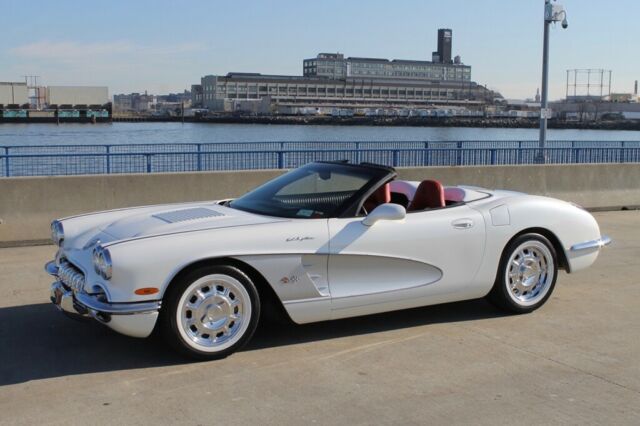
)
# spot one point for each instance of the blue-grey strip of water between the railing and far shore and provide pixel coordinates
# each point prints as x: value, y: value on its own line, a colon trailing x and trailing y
x: 153, y: 133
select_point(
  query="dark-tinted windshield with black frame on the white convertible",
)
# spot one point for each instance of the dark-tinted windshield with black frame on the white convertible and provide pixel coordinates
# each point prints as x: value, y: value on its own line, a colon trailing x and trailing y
x: 317, y: 190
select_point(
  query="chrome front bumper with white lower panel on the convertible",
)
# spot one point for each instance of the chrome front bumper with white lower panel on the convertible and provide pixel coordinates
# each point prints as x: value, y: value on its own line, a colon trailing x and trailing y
x: 133, y: 319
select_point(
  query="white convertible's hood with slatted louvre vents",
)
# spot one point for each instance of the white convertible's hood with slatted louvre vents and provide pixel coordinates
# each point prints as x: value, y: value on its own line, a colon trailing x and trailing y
x: 143, y: 222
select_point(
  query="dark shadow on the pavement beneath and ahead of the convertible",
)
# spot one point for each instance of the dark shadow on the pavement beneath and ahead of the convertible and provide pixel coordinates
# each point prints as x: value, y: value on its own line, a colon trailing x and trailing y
x: 38, y: 342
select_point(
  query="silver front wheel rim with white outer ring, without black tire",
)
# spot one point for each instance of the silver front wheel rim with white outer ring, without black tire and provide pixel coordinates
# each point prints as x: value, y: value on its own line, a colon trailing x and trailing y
x: 213, y: 313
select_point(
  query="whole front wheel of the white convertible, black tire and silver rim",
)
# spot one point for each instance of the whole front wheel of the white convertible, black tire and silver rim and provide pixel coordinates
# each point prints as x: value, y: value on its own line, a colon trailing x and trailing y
x: 177, y: 333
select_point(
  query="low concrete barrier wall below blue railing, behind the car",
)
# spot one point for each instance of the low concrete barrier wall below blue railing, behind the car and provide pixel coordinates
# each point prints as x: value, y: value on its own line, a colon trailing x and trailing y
x: 27, y: 205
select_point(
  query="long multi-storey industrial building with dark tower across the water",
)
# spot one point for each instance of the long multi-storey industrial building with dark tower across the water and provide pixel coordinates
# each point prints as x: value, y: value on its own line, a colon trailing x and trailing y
x: 330, y: 79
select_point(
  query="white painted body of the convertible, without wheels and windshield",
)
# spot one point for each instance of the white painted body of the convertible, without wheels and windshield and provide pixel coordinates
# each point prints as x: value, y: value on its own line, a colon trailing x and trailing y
x: 324, y: 269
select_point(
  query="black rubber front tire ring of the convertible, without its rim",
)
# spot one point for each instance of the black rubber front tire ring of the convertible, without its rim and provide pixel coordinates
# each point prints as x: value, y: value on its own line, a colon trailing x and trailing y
x: 171, y: 328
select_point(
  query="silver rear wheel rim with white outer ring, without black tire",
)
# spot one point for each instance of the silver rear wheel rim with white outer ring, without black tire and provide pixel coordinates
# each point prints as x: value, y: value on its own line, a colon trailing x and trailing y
x: 529, y: 273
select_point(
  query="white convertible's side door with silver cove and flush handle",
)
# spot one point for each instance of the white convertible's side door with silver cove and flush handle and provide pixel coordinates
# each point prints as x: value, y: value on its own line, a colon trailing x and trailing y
x: 428, y: 257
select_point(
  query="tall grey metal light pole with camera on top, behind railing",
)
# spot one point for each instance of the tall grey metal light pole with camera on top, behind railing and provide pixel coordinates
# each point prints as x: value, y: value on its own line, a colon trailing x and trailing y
x: 553, y: 12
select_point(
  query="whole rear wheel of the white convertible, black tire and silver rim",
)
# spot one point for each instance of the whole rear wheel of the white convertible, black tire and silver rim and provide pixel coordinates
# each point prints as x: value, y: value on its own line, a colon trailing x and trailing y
x: 507, y: 293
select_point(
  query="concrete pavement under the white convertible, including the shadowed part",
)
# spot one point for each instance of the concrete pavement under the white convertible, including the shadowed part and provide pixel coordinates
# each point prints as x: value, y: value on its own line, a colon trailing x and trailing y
x: 574, y: 361
